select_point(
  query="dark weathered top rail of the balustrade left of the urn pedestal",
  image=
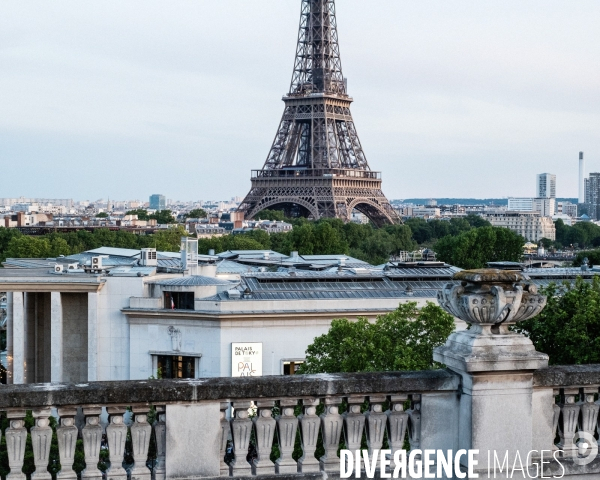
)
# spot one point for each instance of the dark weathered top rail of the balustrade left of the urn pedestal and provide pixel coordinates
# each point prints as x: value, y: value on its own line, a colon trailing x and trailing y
x: 225, y: 388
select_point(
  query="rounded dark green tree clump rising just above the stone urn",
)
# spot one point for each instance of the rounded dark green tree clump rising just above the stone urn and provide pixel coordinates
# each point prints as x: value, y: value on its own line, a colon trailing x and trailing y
x: 476, y: 247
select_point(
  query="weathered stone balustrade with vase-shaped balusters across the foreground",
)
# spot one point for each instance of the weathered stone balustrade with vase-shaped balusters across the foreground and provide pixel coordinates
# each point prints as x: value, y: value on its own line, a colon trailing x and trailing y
x: 207, y: 427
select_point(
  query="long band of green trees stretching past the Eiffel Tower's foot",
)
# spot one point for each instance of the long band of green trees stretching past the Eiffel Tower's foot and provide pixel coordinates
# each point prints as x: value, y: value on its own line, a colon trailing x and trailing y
x: 467, y: 242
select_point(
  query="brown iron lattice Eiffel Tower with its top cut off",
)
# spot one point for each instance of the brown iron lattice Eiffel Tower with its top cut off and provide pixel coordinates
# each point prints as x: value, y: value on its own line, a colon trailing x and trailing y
x: 316, y: 167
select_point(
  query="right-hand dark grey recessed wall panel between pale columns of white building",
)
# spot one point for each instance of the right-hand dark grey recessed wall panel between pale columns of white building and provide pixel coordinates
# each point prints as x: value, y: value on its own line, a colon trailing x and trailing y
x: 75, y: 333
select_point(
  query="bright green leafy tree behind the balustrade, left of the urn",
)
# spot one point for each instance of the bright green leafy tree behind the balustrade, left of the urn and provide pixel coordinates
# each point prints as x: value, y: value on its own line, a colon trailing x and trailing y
x: 401, y: 340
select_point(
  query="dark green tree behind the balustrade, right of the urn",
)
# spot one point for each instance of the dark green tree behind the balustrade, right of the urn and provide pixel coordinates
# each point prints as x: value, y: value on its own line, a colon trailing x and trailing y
x: 568, y: 329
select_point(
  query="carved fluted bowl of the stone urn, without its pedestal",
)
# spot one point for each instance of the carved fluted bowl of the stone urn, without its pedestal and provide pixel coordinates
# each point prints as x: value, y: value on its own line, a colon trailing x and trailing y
x: 492, y: 297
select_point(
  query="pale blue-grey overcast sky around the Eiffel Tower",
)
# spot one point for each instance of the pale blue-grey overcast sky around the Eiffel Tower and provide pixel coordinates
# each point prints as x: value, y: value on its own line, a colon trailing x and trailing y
x: 452, y: 98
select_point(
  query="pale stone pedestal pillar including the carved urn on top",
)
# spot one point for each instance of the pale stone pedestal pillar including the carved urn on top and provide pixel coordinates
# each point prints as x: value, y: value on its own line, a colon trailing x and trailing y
x: 496, y: 364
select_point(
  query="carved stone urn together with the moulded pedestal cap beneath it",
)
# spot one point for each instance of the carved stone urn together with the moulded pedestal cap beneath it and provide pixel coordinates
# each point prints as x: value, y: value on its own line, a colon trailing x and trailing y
x: 490, y: 300
